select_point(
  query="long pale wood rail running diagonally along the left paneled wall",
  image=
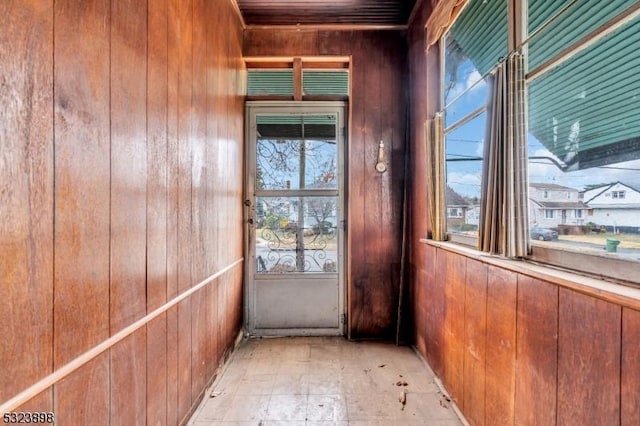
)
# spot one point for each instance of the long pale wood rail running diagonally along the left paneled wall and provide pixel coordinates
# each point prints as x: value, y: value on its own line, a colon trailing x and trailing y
x: 96, y: 351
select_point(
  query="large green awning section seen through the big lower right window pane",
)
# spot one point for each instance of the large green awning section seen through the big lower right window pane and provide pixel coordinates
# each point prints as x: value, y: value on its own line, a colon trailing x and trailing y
x: 587, y: 111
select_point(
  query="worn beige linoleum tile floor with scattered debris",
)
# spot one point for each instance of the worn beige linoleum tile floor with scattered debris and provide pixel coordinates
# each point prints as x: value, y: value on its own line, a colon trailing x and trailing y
x: 324, y: 381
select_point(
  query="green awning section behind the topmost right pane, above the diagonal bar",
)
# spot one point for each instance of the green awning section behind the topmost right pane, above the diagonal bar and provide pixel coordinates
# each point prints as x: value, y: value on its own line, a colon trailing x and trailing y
x: 579, y: 20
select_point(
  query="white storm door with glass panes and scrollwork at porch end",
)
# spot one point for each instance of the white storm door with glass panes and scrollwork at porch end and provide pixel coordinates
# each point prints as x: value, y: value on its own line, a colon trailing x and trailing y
x: 294, y: 218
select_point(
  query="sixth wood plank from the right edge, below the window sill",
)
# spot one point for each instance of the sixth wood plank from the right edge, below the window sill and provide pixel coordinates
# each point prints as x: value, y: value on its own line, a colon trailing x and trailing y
x: 454, y: 323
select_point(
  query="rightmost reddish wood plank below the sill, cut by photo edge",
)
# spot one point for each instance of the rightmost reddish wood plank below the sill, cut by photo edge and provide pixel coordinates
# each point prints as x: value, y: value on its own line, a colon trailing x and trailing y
x: 630, y: 368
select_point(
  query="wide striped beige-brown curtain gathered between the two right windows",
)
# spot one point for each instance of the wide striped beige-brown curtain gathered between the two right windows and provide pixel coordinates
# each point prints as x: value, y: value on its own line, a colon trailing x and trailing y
x: 504, y: 212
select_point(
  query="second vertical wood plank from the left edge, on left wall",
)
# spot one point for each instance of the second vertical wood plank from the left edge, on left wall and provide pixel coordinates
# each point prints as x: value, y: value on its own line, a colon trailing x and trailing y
x: 82, y: 186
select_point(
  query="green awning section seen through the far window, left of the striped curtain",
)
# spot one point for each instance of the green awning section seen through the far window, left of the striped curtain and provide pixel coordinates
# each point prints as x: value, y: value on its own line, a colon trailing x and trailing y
x: 480, y: 33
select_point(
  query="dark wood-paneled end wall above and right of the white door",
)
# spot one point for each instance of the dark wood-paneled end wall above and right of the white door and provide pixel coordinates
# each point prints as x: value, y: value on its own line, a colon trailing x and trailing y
x: 377, y: 112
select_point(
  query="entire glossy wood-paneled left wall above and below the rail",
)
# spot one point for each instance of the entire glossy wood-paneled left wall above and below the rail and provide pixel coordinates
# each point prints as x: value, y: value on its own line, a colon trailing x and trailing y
x: 121, y: 182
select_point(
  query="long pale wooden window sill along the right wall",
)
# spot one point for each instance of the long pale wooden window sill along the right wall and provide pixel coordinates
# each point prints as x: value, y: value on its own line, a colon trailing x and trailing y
x: 601, y: 288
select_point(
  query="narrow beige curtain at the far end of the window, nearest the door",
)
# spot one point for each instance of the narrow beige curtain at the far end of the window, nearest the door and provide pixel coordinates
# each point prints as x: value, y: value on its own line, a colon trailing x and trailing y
x: 434, y: 136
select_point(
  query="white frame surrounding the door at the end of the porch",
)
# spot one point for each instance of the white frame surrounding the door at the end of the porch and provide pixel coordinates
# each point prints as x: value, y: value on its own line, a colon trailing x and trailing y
x: 251, y: 109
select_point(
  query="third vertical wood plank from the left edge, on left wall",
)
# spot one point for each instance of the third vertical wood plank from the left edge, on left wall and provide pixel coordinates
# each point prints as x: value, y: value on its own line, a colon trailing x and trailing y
x: 128, y: 291
